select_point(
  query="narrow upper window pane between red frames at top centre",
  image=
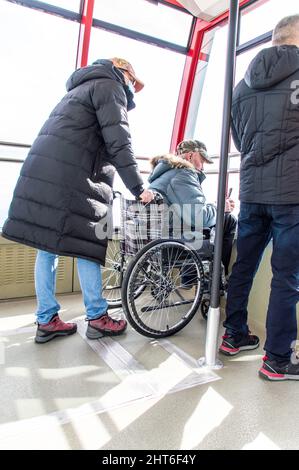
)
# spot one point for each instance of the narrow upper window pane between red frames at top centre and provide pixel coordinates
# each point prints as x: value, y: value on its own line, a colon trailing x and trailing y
x: 155, y: 20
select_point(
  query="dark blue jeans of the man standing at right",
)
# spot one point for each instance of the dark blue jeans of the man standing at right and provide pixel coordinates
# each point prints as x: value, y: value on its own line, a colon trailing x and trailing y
x: 258, y: 223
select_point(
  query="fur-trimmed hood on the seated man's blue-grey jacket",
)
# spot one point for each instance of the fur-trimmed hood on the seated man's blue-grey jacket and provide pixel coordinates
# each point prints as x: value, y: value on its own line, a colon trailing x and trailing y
x: 162, y: 164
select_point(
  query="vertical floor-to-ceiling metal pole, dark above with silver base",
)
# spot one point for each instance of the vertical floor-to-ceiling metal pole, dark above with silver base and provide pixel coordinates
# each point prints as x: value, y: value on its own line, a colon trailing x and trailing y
x: 211, y: 349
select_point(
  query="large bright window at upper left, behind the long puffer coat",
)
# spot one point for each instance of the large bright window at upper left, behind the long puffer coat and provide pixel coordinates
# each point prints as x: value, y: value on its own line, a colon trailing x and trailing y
x: 38, y: 53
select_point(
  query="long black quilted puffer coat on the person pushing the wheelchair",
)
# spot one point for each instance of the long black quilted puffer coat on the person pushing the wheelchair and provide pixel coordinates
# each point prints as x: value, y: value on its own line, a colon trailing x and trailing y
x: 64, y: 190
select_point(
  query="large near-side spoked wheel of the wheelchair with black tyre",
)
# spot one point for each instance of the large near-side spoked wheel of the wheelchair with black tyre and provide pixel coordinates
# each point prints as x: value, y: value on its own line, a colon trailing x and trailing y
x: 165, y: 304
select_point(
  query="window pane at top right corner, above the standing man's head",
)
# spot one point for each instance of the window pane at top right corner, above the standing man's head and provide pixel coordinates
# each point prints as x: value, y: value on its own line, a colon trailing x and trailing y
x: 263, y: 16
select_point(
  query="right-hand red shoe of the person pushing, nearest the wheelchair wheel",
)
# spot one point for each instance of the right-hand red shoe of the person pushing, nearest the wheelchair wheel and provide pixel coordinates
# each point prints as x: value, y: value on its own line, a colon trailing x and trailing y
x: 105, y: 326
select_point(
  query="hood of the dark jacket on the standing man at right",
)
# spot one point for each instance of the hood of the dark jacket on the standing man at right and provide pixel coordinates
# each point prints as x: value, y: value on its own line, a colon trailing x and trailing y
x: 271, y: 66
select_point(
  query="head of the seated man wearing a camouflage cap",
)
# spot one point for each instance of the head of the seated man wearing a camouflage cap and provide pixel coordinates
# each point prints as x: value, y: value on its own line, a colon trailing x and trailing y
x: 194, y: 152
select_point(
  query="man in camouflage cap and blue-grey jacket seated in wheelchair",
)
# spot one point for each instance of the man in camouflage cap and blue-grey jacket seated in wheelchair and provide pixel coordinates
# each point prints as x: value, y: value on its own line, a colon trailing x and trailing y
x: 178, y: 178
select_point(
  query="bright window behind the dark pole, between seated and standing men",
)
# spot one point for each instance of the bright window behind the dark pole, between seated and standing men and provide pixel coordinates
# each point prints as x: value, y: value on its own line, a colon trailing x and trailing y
x: 205, y: 113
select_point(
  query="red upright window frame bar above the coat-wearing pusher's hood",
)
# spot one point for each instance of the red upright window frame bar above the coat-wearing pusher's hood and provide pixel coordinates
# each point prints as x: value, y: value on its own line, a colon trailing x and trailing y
x: 84, y: 33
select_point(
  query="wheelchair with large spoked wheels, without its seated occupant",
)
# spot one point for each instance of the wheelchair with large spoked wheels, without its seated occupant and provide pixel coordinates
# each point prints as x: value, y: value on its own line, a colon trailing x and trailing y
x: 159, y: 282
